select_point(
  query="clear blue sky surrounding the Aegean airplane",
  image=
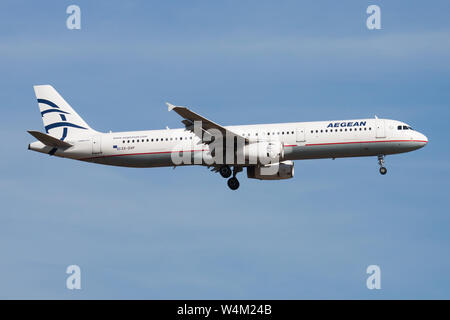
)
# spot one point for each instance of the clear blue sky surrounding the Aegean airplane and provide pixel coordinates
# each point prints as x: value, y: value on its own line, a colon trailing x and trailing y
x: 170, y: 234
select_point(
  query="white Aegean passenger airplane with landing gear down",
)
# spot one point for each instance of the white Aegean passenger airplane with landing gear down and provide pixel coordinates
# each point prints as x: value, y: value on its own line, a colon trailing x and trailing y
x: 67, y: 135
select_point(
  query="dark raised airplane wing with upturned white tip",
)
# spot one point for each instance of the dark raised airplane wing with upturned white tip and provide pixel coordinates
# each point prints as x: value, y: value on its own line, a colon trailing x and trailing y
x: 190, y: 116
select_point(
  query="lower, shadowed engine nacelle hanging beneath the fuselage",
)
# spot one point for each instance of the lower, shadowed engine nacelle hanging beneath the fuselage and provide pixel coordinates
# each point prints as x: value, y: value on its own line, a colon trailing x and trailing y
x: 275, y: 171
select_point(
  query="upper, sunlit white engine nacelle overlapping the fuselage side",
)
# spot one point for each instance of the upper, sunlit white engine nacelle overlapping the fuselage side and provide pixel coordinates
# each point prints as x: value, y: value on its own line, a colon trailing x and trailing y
x: 264, y: 152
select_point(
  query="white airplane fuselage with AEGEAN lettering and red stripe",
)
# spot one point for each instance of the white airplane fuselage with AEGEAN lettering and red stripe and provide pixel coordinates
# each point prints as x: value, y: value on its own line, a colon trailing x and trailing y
x: 301, y: 140
